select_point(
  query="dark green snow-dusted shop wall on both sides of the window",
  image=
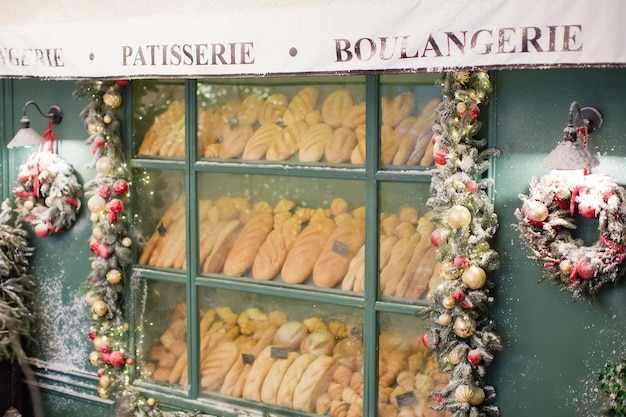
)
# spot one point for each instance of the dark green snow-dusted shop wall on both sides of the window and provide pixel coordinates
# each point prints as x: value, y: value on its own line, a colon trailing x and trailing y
x: 553, y: 347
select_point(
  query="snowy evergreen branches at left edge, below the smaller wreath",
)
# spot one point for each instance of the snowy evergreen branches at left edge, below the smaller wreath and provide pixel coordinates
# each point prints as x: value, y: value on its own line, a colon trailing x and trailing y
x: 16, y: 284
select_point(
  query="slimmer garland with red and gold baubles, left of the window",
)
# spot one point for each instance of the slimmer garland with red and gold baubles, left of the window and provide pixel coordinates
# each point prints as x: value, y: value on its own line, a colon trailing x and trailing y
x: 110, y: 243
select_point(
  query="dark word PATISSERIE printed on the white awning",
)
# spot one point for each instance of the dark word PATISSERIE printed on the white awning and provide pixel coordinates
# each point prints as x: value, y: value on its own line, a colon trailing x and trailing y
x: 232, y: 53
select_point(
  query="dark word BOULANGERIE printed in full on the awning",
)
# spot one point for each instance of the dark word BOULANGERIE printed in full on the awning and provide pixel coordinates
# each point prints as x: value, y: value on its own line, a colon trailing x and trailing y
x: 527, y: 39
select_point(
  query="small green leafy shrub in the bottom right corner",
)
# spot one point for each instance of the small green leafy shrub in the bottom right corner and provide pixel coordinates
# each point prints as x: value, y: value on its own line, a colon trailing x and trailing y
x: 613, y: 385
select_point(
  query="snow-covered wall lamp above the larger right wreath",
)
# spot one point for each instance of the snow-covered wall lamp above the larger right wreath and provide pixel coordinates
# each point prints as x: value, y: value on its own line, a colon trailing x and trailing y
x: 571, y: 153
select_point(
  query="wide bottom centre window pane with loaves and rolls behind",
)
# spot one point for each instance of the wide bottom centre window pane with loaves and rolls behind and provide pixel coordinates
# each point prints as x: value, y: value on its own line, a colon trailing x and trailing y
x: 287, y: 353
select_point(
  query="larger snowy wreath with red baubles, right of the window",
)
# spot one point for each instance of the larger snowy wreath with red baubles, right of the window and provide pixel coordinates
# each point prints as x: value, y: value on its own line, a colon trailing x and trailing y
x: 546, y: 223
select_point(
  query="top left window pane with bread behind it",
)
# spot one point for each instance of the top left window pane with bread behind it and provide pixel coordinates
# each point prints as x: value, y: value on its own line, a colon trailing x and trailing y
x: 159, y: 118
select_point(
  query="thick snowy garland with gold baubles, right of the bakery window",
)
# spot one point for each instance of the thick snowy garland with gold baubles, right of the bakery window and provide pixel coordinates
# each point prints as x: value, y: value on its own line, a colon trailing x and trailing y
x: 460, y: 331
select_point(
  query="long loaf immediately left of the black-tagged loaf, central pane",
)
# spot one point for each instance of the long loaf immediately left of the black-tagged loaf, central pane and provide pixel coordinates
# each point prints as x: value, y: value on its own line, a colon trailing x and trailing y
x: 306, y: 249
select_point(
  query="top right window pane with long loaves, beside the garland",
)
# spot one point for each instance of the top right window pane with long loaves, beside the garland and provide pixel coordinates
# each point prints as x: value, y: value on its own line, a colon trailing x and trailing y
x: 407, y: 116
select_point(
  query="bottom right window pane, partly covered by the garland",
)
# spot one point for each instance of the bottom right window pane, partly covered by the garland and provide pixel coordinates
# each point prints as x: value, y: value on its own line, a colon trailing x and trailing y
x: 407, y: 371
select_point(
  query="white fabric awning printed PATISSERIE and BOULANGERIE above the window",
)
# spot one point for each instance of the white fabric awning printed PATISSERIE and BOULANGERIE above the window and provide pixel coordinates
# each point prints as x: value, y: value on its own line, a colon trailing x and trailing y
x: 69, y: 39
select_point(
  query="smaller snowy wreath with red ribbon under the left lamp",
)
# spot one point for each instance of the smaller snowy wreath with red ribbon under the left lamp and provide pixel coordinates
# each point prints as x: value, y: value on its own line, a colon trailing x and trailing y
x: 47, y: 194
